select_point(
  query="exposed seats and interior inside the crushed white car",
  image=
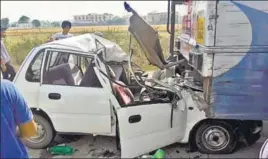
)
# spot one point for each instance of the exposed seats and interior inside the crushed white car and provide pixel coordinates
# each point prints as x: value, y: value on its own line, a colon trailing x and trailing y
x: 64, y: 72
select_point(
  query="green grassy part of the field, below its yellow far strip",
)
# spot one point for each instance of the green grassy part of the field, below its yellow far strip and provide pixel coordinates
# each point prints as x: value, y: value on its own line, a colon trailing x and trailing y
x: 19, y: 46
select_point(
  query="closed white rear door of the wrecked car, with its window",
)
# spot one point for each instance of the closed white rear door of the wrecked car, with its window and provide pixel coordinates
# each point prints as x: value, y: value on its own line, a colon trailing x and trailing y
x: 73, y: 107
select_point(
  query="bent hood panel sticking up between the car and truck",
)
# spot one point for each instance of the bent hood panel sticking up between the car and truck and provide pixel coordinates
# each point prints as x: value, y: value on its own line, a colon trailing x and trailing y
x: 148, y: 40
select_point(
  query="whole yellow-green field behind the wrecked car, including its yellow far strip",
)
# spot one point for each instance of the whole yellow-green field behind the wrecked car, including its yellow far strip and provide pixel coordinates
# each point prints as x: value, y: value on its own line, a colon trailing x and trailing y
x: 20, y: 42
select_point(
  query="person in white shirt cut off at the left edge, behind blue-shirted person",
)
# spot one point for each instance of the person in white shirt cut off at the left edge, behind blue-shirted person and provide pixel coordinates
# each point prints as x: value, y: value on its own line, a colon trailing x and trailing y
x: 10, y: 72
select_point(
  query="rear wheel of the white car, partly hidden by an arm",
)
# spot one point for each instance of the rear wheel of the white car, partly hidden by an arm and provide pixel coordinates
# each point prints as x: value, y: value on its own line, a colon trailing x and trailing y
x: 45, y: 134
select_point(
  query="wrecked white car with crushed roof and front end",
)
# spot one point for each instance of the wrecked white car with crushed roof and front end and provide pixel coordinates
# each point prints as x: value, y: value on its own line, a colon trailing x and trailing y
x: 70, y: 89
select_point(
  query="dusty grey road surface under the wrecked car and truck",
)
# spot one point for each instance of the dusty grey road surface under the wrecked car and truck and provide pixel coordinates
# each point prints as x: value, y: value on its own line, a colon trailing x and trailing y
x: 88, y: 147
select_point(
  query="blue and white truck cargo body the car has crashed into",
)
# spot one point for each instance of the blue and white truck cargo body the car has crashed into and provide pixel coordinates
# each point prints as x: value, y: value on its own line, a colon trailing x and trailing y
x: 232, y: 61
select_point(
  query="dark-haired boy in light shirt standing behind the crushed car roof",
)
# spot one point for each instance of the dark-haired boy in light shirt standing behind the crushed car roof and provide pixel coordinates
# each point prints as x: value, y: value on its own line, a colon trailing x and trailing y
x: 66, y: 26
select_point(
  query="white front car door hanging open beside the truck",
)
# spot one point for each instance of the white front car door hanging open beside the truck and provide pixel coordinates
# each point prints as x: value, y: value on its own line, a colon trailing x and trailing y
x: 144, y: 128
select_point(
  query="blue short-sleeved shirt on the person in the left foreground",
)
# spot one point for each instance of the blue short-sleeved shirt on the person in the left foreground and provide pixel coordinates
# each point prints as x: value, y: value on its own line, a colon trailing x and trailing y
x: 14, y: 112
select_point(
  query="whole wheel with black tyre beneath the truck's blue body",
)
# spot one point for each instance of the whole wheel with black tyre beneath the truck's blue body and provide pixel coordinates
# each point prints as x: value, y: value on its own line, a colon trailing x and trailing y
x: 215, y: 138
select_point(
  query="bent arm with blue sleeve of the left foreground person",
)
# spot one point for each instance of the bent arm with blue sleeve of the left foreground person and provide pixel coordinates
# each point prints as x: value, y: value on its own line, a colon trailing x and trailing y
x: 23, y: 117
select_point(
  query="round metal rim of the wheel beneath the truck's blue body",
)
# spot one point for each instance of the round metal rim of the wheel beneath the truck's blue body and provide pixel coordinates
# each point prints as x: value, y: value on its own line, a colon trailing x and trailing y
x: 215, y: 138
